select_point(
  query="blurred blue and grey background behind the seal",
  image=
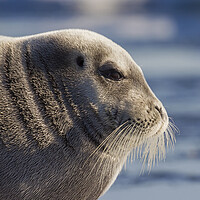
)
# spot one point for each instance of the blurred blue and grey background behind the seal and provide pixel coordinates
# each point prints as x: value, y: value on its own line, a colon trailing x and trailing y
x: 163, y: 37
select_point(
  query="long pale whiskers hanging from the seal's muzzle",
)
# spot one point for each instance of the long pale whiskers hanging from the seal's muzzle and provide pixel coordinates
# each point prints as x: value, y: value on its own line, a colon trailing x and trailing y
x: 131, y: 139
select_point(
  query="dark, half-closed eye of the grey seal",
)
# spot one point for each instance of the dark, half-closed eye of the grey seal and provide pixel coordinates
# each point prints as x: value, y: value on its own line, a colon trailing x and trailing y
x: 112, y: 74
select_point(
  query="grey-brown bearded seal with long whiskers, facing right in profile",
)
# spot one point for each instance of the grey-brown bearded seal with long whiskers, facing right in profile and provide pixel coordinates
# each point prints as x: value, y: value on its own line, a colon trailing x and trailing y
x: 73, y: 106
